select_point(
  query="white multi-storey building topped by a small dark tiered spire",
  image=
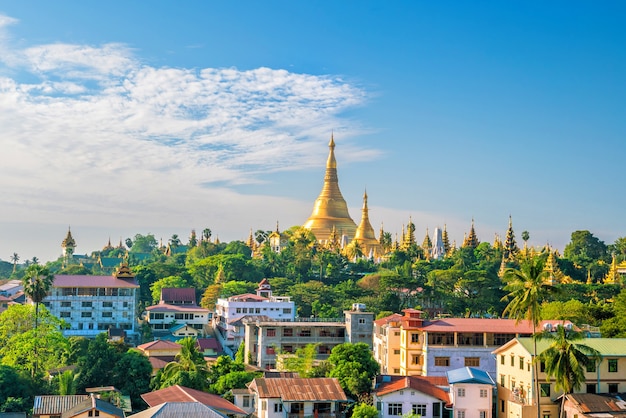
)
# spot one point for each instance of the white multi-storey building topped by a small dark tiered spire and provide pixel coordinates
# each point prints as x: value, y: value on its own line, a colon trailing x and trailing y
x: 230, y: 312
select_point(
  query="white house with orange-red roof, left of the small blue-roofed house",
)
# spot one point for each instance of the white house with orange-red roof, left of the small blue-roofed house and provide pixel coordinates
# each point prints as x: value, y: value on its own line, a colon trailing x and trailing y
x: 422, y: 395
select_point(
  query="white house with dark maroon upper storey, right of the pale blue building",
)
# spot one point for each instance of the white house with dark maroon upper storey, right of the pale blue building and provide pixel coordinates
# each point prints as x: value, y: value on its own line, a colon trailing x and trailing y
x: 177, y: 307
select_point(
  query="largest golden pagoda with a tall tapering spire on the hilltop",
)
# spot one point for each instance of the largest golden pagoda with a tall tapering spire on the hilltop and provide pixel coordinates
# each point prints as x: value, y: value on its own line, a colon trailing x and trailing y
x: 330, y: 209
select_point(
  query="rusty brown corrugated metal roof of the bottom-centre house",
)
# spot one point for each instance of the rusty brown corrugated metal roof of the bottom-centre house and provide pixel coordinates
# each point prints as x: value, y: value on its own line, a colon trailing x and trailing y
x: 299, y: 389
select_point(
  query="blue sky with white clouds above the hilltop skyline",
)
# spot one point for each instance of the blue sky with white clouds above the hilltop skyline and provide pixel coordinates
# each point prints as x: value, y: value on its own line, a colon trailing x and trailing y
x: 127, y: 117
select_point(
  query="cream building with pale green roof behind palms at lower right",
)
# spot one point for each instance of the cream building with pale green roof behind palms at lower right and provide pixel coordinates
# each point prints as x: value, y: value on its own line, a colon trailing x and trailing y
x: 515, y: 376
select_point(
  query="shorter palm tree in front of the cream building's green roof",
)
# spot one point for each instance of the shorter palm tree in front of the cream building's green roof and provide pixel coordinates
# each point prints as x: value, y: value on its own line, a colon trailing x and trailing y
x: 566, y: 359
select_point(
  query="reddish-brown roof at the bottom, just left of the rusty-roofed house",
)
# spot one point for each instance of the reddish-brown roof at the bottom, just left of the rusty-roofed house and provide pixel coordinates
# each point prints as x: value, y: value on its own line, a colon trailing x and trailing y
x: 182, y: 394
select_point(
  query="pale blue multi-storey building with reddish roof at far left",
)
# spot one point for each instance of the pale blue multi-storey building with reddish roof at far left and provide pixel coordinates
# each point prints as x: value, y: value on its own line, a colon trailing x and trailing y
x: 93, y: 304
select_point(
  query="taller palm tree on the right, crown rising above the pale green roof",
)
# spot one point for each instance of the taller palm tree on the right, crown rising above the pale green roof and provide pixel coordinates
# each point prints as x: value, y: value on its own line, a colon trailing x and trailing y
x: 527, y: 287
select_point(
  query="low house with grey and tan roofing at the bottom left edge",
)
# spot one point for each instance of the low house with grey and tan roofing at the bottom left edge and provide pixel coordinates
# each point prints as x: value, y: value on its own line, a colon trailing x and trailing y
x: 70, y: 406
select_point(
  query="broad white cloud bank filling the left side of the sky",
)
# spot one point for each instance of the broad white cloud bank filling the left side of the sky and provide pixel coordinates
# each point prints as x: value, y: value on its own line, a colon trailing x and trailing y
x: 97, y: 134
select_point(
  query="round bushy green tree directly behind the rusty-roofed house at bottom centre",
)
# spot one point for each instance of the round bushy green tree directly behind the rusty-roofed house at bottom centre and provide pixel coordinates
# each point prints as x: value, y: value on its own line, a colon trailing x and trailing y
x: 354, y: 366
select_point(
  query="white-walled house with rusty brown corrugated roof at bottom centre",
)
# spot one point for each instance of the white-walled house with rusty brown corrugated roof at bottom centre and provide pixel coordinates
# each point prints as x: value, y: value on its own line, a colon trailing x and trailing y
x: 313, y: 397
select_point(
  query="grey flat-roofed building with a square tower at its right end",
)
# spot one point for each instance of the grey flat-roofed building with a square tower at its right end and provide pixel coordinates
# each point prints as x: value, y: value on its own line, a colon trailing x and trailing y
x: 265, y: 339
